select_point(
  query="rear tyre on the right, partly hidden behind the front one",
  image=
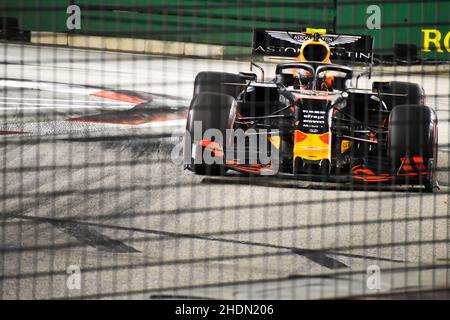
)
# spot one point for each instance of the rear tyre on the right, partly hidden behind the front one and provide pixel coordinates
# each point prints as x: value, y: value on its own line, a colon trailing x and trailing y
x: 409, y: 93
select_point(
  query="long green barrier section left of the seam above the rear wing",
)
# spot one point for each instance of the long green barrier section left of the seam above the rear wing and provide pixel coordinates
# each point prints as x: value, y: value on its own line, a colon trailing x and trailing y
x: 227, y: 22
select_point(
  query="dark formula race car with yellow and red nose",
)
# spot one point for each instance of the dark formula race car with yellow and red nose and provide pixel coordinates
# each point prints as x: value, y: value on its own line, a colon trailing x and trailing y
x: 309, y: 122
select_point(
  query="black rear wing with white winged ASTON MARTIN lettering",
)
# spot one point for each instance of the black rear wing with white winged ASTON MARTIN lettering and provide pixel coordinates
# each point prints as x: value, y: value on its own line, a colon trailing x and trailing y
x: 353, y: 49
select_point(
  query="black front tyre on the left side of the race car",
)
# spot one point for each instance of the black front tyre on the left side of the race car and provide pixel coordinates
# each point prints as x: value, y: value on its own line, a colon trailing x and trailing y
x: 211, y: 111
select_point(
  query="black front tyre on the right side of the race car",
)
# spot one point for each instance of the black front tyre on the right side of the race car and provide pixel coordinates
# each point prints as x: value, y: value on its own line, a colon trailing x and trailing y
x: 413, y: 133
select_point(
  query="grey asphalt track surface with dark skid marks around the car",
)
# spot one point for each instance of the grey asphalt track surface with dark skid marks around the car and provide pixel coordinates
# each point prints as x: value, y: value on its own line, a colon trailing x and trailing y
x: 92, y: 180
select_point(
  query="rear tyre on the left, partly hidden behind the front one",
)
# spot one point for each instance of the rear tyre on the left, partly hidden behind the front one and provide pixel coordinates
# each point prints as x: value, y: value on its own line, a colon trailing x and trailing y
x: 211, y: 81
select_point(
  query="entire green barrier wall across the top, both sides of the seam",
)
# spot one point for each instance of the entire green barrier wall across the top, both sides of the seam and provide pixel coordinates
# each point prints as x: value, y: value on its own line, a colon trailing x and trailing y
x: 231, y: 22
